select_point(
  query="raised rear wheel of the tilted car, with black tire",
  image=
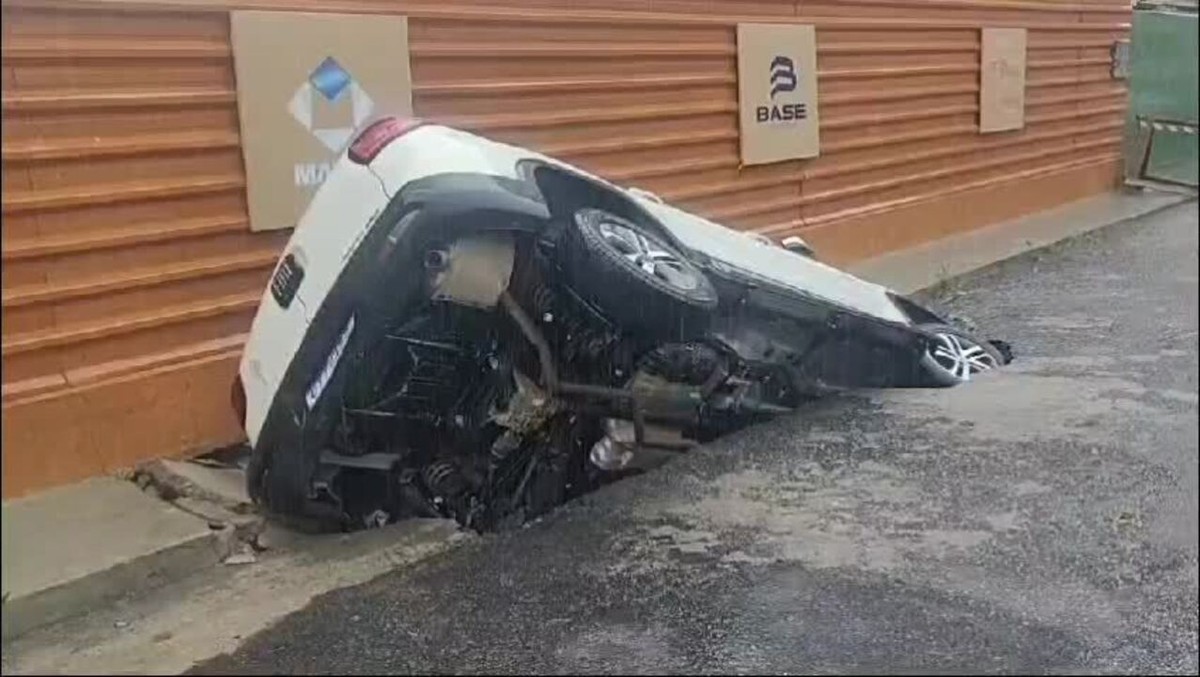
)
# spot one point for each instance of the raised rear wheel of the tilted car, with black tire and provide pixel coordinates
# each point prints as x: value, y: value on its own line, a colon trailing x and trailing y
x: 669, y: 303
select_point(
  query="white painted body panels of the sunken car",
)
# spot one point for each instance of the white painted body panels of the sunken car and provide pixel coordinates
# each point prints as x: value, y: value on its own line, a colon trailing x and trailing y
x: 353, y: 197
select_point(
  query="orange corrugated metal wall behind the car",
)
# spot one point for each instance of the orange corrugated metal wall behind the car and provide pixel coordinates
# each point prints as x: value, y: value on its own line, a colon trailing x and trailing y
x: 130, y: 275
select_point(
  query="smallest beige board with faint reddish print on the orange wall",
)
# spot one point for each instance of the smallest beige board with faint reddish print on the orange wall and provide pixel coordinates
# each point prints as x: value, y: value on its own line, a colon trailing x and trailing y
x: 1003, y: 80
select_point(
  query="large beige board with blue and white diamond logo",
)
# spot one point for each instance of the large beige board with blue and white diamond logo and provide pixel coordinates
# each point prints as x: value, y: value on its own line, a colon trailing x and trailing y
x: 302, y: 98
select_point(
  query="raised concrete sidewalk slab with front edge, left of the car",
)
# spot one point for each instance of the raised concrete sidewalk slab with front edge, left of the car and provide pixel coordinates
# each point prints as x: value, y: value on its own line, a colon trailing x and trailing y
x: 85, y: 546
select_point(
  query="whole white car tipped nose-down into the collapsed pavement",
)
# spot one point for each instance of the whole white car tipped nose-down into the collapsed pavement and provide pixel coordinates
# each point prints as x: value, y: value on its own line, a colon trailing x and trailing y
x: 470, y: 329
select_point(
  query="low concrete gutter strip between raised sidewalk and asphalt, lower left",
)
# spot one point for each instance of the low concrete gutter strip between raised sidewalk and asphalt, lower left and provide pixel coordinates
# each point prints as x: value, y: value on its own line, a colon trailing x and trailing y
x: 214, y: 612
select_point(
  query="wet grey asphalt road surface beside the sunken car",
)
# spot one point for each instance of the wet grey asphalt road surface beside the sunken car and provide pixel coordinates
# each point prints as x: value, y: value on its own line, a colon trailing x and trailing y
x: 1039, y: 520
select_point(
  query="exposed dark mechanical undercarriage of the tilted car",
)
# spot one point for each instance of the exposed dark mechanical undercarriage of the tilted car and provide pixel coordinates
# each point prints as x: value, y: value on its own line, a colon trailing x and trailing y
x: 509, y: 392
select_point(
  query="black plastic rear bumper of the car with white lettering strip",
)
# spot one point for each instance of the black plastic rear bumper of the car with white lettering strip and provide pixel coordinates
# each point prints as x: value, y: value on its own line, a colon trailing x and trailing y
x: 382, y: 279
